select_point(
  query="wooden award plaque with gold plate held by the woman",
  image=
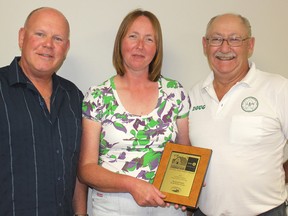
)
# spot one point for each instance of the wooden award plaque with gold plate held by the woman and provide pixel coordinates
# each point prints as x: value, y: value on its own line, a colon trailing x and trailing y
x: 181, y: 173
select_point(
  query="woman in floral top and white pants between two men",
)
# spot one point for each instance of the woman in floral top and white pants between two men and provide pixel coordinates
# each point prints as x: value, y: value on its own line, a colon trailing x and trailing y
x: 128, y: 119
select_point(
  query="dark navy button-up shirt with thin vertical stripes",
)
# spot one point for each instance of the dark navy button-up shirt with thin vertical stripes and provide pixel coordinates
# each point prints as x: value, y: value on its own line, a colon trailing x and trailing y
x: 38, y: 150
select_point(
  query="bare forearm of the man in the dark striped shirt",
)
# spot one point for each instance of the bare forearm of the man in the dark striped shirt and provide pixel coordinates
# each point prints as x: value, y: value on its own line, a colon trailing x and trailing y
x: 80, y: 199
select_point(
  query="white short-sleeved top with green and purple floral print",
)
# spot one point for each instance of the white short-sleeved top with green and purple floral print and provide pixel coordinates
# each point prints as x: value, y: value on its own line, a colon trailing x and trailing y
x: 132, y: 144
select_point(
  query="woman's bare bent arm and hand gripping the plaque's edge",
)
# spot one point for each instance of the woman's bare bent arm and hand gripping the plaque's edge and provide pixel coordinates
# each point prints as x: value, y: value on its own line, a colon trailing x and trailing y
x: 90, y: 173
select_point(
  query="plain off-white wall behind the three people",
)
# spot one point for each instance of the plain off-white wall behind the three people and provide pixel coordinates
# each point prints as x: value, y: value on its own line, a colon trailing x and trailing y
x: 94, y: 24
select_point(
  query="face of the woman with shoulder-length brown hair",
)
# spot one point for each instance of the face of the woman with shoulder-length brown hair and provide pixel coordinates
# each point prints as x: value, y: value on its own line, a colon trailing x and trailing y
x: 139, y: 45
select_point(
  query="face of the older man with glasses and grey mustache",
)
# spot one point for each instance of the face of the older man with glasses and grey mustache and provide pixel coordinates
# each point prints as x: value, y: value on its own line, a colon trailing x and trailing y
x: 227, y: 59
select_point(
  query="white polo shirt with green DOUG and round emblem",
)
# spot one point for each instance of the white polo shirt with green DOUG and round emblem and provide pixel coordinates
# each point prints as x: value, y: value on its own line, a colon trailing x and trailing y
x: 247, y: 131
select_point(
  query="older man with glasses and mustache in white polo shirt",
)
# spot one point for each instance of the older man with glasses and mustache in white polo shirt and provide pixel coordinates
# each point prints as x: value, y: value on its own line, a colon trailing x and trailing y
x: 241, y: 113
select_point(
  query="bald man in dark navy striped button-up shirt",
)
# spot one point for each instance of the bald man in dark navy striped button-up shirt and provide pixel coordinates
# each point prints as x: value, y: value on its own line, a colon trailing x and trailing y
x: 40, y: 123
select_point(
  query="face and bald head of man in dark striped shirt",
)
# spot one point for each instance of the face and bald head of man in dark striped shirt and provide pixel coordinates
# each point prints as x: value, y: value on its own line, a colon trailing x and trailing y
x: 44, y: 42
